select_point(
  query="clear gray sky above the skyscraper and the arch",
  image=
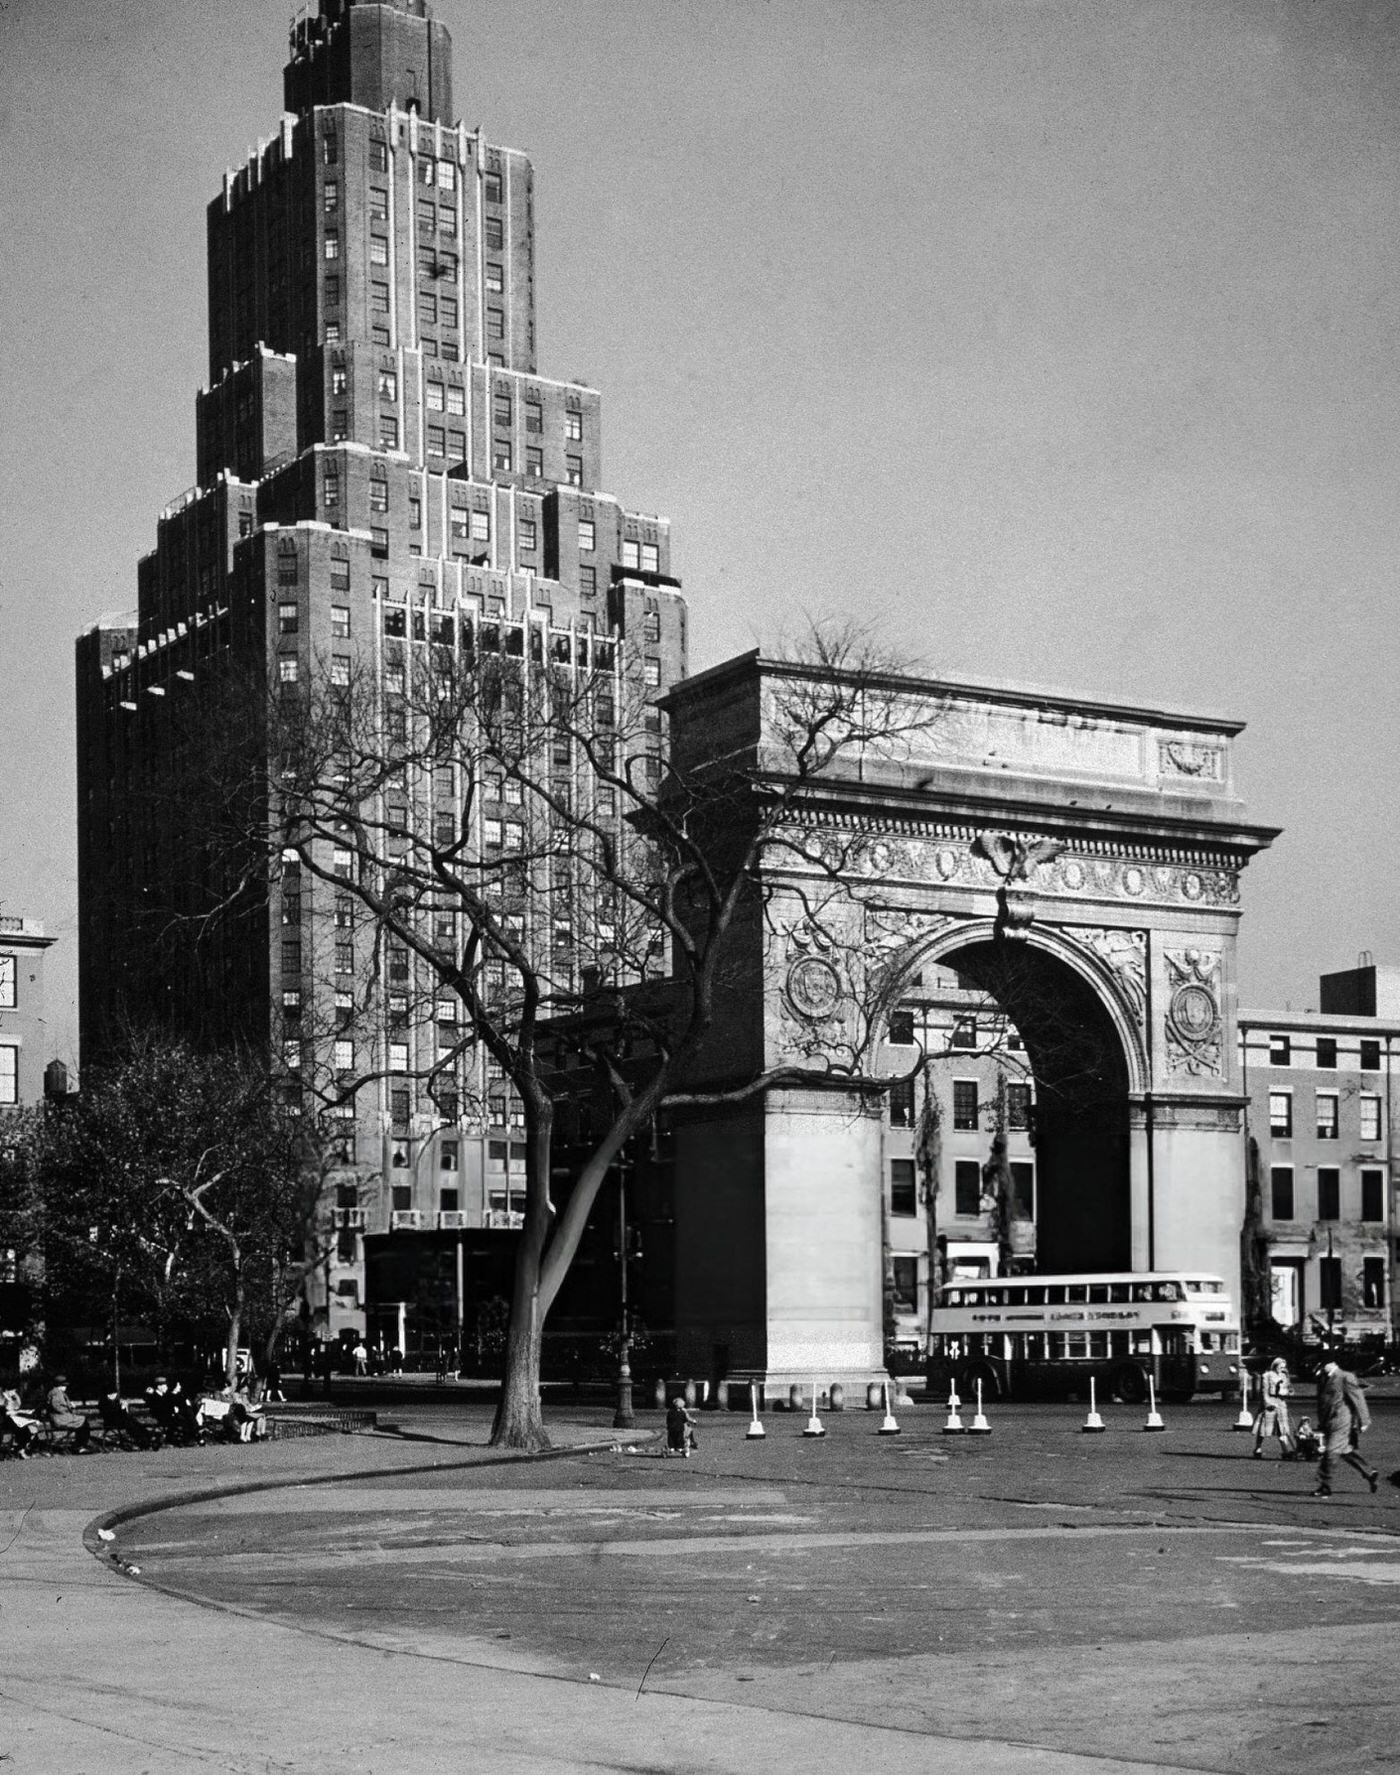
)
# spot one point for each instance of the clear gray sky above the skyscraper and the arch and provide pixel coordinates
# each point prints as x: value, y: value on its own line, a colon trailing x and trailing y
x: 1057, y: 336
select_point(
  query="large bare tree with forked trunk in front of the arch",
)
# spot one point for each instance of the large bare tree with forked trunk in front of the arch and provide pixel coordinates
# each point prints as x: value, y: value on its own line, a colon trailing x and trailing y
x: 533, y: 880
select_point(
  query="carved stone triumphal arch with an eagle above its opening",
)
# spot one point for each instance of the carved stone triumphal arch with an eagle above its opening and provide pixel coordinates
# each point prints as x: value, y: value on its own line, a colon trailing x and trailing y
x: 1076, y: 862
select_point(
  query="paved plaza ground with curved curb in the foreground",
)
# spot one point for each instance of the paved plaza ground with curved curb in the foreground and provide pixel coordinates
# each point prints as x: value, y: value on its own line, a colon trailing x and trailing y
x: 1035, y: 1600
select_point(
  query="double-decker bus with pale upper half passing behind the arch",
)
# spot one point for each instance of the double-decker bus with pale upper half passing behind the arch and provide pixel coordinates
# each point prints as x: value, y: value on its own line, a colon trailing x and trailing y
x: 1042, y: 1337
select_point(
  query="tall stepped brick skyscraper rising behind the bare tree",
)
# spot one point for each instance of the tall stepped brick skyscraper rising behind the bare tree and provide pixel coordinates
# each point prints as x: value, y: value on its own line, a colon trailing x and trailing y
x: 379, y: 466
